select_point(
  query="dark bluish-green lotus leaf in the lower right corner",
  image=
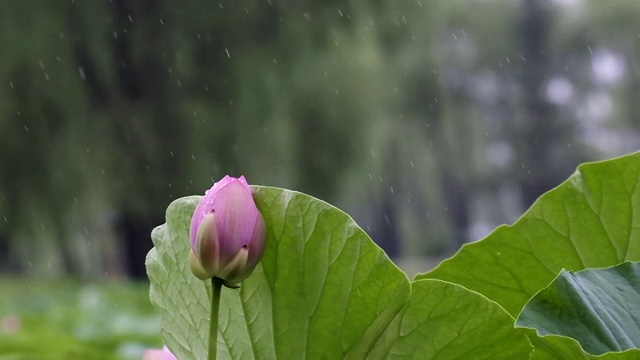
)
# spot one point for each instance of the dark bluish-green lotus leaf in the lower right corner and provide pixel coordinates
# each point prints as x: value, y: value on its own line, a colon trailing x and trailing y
x: 600, y: 308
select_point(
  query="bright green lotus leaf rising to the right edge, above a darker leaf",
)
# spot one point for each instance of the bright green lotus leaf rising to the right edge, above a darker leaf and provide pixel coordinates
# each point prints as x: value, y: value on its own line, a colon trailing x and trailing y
x: 591, y: 220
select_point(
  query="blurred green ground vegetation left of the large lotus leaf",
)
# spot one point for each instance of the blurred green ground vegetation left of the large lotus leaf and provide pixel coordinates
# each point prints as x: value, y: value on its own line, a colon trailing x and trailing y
x: 67, y: 319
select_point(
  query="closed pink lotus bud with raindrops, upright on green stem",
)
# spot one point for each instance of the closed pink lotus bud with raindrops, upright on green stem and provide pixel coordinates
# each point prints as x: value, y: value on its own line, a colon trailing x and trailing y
x: 227, y: 233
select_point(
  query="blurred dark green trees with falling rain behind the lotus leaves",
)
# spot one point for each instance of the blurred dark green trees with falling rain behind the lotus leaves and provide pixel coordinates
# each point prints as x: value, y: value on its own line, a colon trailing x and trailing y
x: 414, y: 116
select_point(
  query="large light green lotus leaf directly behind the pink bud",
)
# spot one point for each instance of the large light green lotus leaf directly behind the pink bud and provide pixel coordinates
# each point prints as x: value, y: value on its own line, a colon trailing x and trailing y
x: 322, y: 290
